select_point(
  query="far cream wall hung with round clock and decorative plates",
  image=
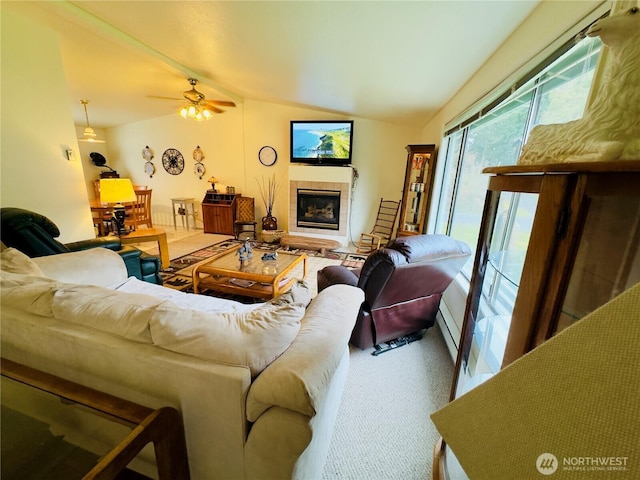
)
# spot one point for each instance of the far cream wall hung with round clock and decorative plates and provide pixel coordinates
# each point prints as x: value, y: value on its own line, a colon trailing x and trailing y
x: 231, y: 142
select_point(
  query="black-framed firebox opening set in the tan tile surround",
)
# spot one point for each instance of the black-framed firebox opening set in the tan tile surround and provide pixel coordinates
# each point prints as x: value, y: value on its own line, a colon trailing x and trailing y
x: 318, y: 209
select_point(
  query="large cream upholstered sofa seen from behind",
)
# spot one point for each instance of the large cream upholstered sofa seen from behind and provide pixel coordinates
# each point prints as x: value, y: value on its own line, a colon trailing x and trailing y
x: 258, y: 387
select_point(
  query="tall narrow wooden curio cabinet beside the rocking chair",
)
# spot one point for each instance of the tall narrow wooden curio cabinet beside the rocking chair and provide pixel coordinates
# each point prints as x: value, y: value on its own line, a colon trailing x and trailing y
x: 416, y: 196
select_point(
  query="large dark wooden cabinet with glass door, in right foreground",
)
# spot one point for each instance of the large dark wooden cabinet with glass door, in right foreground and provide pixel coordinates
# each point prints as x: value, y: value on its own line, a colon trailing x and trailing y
x: 556, y: 242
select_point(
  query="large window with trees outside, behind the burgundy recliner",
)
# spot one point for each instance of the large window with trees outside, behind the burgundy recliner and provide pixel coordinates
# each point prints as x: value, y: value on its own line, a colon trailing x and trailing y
x: 557, y: 94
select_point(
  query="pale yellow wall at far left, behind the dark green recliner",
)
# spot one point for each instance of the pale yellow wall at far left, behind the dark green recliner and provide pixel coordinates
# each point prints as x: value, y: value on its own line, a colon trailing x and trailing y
x: 37, y: 129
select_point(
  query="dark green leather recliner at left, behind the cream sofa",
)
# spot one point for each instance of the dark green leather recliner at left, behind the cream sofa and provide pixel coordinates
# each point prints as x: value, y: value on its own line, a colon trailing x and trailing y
x: 35, y: 235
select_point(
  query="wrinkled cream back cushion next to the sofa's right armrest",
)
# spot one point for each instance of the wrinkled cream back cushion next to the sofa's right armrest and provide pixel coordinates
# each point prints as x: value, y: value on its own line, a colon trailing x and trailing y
x: 254, y: 338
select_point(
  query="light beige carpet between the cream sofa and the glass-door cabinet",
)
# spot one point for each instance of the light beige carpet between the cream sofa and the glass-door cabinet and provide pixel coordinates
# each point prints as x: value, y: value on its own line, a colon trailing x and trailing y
x: 383, y: 430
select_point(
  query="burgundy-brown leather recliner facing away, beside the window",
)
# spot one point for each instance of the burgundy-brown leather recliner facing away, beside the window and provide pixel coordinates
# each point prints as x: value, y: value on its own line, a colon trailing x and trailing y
x: 403, y: 284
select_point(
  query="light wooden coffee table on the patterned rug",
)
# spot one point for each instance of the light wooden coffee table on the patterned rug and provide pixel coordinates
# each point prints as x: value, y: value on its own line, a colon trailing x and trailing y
x: 251, y: 278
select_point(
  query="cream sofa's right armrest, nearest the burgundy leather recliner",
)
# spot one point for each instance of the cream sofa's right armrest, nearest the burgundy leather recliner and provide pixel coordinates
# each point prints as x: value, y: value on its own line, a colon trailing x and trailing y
x: 299, y: 378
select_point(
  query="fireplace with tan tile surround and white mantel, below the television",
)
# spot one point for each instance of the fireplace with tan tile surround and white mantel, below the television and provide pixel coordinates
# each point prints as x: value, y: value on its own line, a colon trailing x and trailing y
x: 319, y: 200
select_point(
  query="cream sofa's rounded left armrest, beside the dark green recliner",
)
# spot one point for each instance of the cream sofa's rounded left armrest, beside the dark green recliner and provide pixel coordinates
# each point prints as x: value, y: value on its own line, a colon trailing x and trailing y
x: 97, y: 266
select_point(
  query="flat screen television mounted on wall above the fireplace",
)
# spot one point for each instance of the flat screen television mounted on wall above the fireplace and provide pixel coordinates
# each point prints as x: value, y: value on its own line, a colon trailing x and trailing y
x: 321, y: 142
